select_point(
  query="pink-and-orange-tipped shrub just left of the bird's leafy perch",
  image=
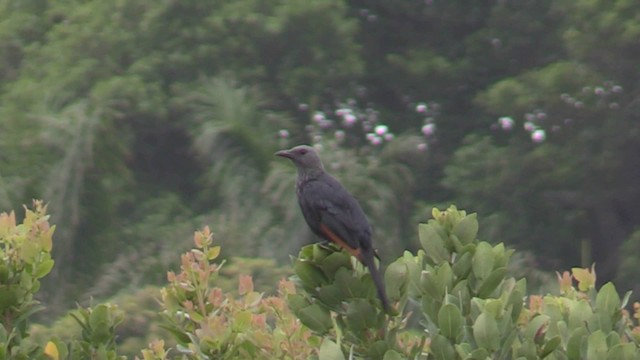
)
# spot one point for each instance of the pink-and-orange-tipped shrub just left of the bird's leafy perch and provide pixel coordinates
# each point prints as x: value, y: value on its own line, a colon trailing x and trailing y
x: 208, y: 323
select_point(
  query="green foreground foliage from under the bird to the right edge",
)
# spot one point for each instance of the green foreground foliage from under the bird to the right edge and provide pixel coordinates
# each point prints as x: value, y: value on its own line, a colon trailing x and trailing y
x: 470, y: 308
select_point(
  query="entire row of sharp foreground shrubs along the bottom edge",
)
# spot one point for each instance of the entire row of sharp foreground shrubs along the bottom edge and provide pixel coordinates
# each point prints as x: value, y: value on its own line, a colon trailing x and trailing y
x: 467, y: 306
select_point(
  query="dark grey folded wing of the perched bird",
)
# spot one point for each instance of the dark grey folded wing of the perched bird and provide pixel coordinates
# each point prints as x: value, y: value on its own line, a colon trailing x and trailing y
x: 338, y: 215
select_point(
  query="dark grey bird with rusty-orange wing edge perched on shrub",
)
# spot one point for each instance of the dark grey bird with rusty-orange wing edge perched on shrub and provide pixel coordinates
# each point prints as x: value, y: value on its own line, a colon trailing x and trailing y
x: 333, y: 213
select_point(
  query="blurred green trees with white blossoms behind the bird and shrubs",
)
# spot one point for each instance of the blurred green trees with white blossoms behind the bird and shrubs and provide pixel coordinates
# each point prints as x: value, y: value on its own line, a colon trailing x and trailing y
x: 139, y: 121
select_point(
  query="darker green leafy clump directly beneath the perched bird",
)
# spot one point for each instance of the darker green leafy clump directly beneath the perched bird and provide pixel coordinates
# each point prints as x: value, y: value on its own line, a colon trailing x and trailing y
x: 340, y: 303
